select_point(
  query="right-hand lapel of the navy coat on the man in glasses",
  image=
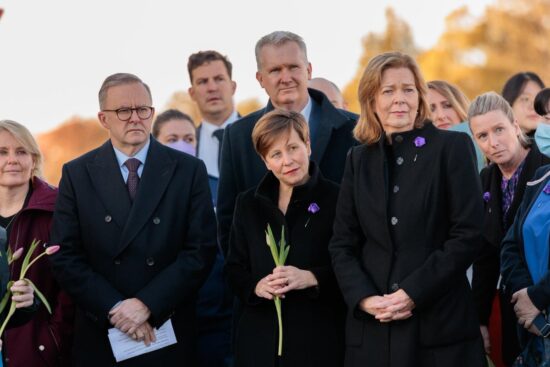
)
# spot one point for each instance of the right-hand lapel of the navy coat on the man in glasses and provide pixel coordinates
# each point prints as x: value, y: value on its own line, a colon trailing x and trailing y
x: 157, y: 173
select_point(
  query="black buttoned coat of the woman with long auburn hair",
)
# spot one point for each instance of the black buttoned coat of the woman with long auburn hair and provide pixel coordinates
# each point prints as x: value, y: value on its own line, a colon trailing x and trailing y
x: 409, y: 218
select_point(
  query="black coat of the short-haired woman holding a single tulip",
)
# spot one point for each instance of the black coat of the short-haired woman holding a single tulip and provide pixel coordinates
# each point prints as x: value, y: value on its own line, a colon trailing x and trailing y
x: 313, y: 319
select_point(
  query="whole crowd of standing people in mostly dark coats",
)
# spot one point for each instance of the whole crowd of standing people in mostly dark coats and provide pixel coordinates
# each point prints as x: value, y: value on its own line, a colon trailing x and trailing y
x: 299, y: 235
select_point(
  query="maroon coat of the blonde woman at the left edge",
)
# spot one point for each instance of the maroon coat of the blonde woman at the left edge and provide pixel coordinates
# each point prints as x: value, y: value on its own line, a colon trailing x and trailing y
x: 47, y: 337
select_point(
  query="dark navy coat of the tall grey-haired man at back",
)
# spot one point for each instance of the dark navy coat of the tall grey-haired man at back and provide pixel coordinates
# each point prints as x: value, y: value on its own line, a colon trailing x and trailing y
x: 242, y: 168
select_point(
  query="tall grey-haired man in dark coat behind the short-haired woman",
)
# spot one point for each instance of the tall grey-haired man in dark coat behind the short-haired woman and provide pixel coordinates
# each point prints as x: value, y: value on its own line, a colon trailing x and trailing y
x: 283, y: 71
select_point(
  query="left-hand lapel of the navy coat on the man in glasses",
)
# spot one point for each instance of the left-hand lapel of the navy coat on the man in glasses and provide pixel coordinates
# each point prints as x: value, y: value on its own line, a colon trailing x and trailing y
x: 109, y: 185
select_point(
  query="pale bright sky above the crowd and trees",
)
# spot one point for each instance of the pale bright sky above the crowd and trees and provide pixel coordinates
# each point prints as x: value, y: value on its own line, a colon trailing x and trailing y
x: 55, y: 54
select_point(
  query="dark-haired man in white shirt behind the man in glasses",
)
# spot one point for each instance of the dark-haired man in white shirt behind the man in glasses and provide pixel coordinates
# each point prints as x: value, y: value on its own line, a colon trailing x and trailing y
x: 212, y: 89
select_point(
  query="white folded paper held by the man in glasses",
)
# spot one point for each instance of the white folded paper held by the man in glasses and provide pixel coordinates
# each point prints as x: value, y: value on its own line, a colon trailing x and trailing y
x: 125, y: 347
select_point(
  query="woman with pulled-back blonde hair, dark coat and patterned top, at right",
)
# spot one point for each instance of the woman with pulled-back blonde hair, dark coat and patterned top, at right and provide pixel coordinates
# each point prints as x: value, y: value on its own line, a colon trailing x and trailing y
x: 514, y: 160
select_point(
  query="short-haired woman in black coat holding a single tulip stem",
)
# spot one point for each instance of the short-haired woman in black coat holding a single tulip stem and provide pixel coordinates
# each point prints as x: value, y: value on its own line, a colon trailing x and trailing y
x: 295, y: 196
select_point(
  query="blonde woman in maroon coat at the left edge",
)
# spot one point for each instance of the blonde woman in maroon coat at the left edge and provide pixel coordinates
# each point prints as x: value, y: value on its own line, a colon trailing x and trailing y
x: 26, y: 209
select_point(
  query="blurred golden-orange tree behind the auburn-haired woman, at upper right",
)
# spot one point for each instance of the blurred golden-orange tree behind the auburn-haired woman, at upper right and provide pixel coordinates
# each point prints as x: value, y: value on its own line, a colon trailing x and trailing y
x: 476, y: 54
